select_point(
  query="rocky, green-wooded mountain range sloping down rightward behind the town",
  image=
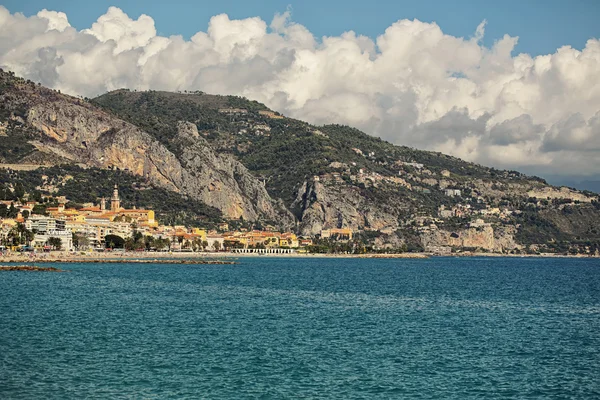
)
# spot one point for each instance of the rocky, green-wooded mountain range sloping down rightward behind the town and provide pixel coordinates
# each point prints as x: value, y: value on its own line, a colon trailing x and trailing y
x: 247, y: 161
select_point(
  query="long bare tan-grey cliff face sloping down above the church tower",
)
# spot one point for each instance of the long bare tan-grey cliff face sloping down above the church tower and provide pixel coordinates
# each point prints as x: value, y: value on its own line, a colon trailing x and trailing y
x: 69, y: 130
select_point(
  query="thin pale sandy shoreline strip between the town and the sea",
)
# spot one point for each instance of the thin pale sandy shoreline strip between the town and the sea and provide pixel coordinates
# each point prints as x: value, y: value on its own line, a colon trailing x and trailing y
x: 228, y: 257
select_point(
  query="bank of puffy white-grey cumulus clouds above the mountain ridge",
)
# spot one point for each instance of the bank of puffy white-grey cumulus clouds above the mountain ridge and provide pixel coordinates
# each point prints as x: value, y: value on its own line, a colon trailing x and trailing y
x: 412, y: 85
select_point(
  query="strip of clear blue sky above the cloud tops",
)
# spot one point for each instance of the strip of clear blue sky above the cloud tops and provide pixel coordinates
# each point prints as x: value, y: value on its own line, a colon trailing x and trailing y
x: 542, y: 26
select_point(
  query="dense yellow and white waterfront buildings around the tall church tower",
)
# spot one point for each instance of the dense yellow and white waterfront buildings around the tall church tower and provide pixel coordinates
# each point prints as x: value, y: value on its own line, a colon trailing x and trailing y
x: 107, y: 226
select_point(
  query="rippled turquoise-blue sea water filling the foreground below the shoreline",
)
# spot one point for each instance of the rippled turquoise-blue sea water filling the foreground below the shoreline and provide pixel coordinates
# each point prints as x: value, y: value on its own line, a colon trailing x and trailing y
x: 484, y: 328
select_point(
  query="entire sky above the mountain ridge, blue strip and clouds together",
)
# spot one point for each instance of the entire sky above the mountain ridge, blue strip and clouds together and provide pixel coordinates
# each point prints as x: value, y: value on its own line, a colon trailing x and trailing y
x: 512, y: 84
